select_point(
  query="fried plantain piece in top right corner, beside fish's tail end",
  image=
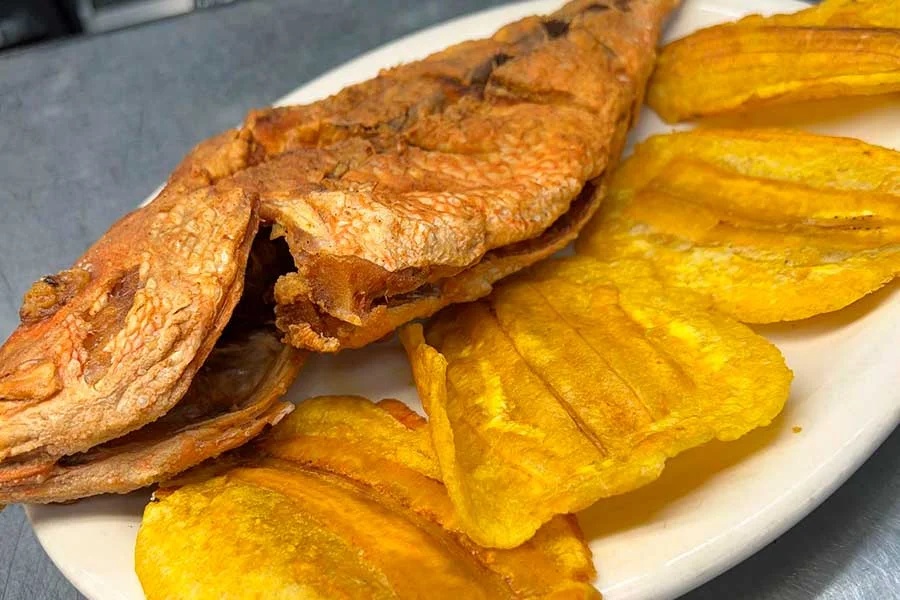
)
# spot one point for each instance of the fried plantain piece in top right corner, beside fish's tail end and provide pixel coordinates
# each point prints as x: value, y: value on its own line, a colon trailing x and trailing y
x: 839, y: 48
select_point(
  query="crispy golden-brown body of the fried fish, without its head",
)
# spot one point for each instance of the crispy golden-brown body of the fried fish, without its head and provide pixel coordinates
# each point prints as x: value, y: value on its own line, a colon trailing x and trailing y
x: 394, y: 192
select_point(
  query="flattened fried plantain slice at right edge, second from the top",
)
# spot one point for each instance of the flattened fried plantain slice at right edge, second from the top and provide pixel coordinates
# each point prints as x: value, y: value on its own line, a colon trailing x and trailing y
x: 772, y: 225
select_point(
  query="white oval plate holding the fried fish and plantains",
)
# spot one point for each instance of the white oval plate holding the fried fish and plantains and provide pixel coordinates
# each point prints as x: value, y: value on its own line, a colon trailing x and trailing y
x: 713, y: 507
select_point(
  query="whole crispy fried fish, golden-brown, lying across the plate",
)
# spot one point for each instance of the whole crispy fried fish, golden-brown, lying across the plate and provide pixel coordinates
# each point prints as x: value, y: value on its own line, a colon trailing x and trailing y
x: 383, y: 203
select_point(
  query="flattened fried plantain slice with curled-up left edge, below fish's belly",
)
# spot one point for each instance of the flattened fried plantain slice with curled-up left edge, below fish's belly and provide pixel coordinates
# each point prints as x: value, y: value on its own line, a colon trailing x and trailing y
x: 576, y: 382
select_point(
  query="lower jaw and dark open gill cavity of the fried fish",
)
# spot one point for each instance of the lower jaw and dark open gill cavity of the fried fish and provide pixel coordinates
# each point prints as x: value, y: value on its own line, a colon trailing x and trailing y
x: 233, y: 396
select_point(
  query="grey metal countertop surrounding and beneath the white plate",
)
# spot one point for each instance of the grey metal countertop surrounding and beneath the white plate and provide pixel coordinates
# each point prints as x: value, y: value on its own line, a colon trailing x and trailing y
x: 89, y: 127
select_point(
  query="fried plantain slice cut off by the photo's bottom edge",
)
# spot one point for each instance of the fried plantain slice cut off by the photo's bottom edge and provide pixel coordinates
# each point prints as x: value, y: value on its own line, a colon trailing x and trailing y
x: 343, y: 502
